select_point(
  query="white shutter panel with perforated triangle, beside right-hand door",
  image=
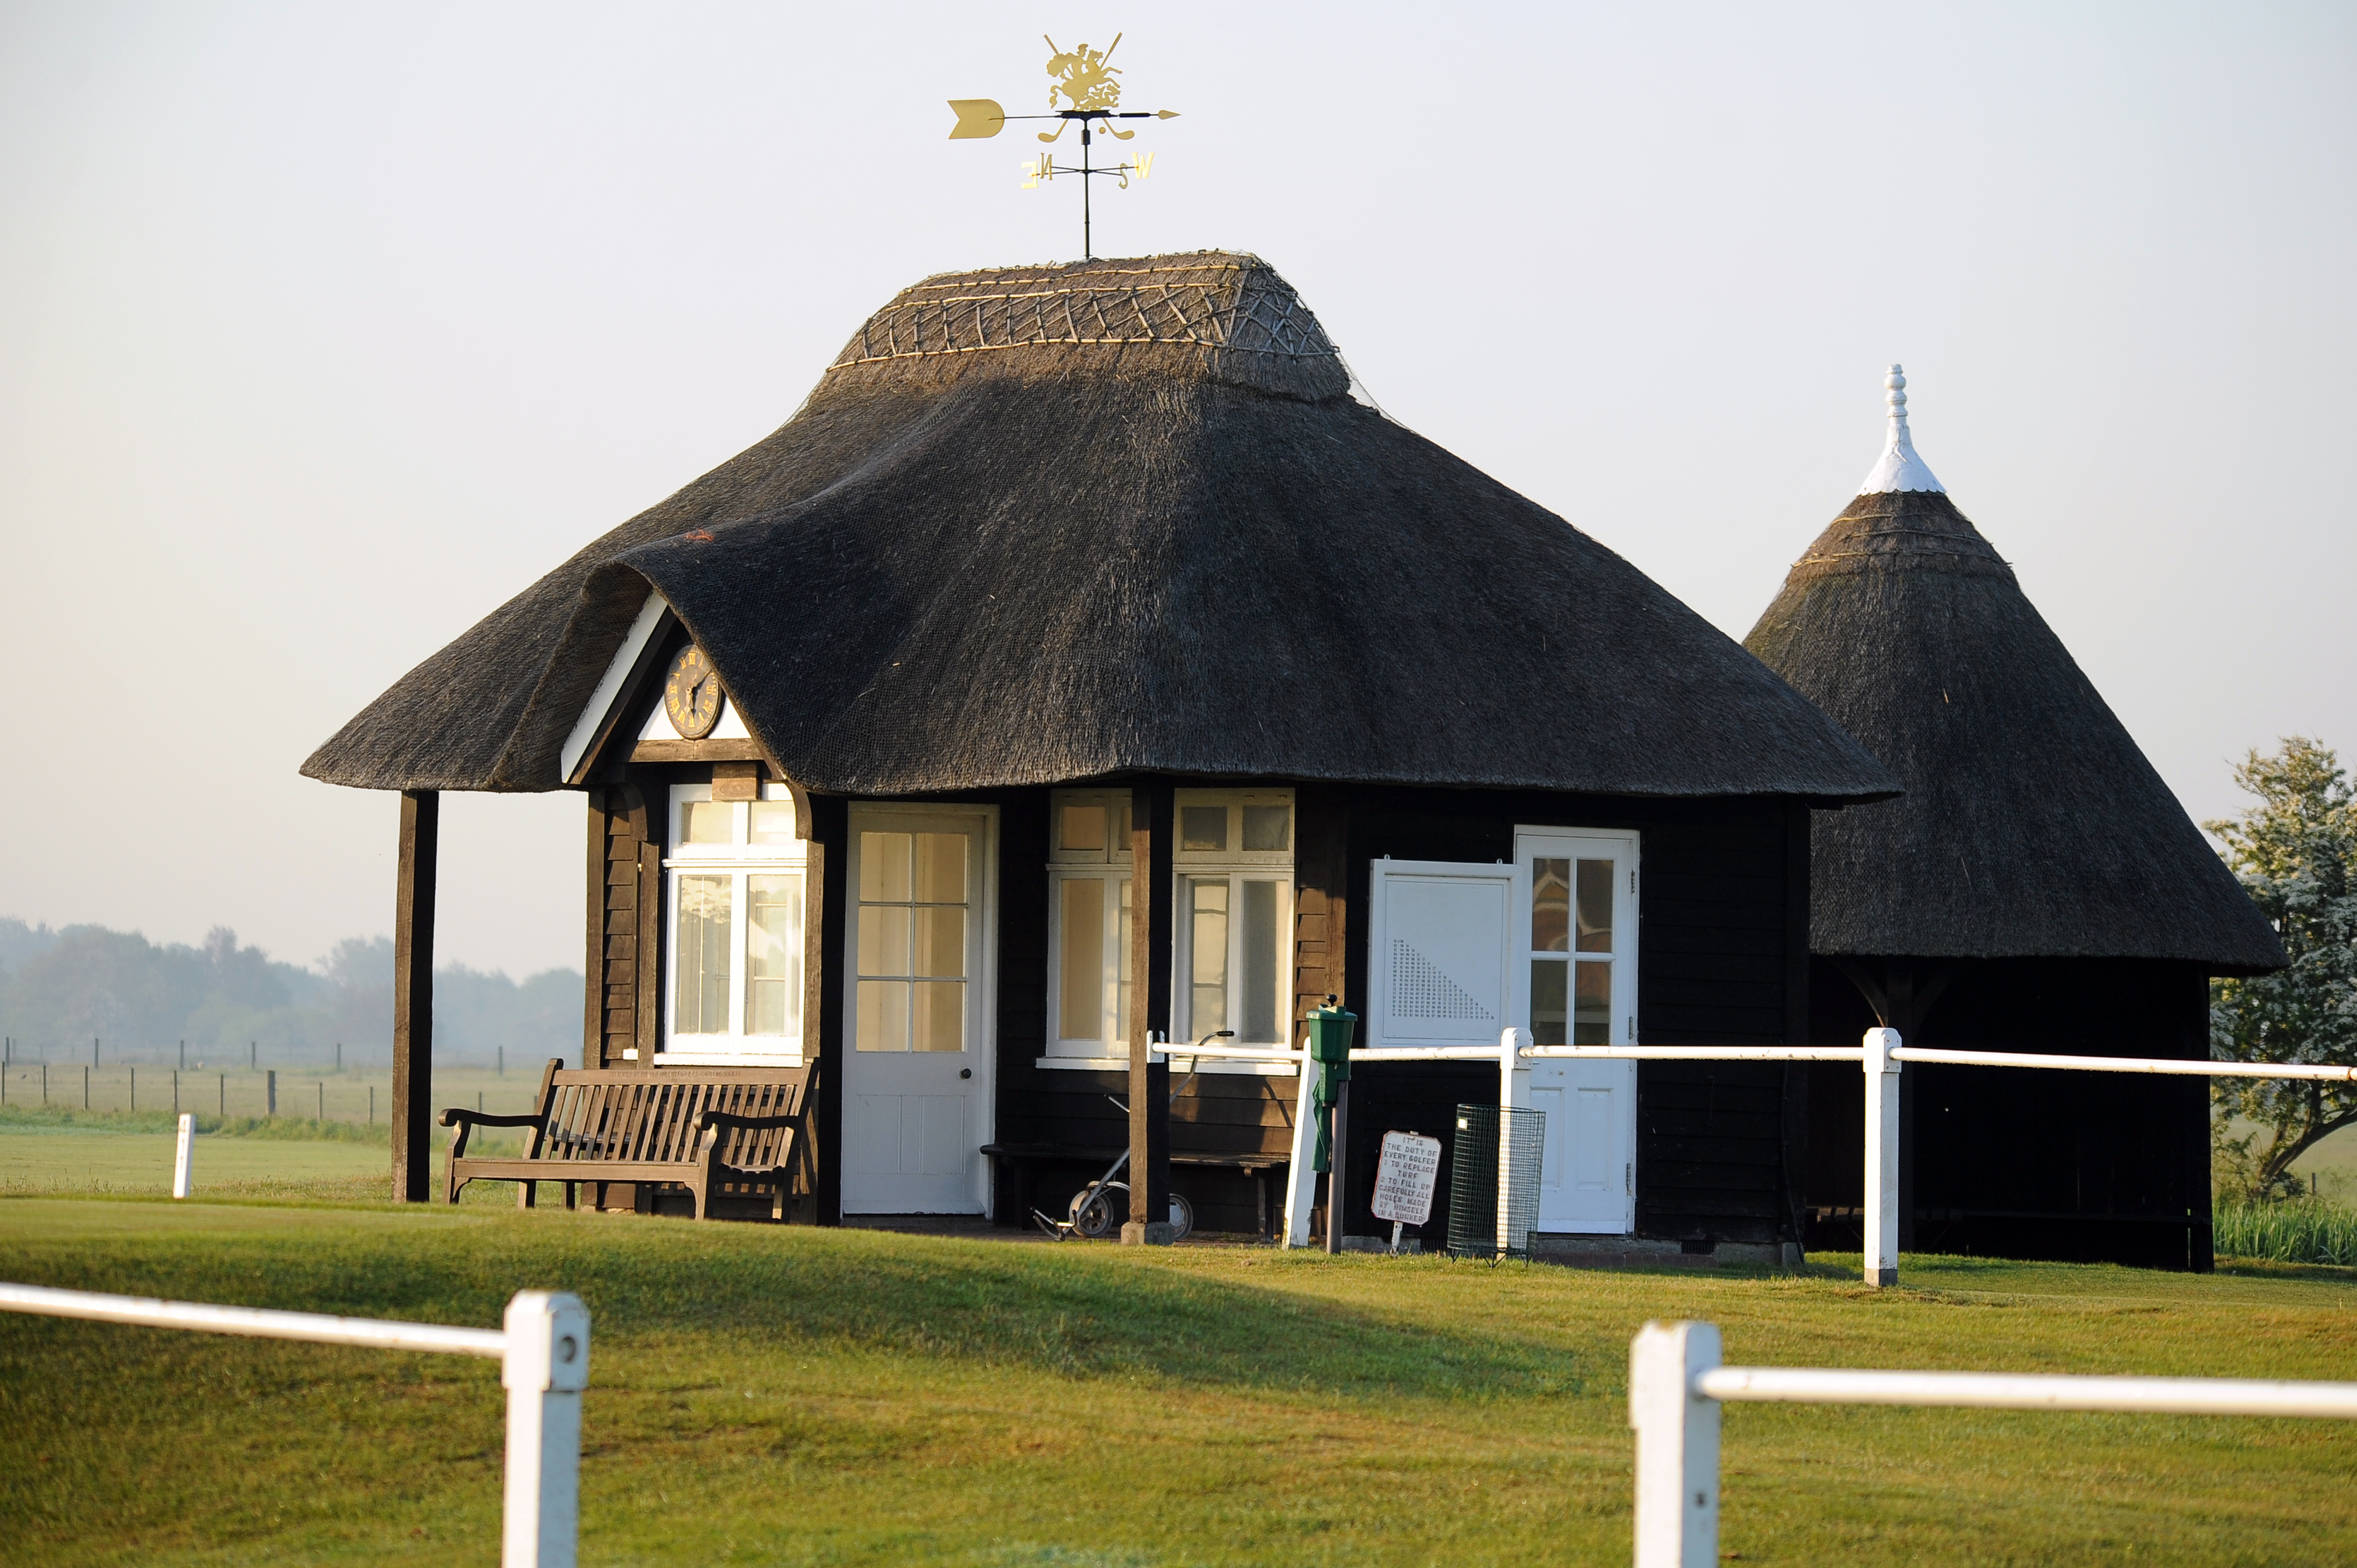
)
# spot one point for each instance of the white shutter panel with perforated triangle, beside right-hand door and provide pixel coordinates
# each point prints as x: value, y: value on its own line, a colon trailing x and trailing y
x: 1441, y: 954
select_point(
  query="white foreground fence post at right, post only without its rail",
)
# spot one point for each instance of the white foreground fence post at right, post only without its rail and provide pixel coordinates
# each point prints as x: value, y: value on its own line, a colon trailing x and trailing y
x: 1677, y: 1447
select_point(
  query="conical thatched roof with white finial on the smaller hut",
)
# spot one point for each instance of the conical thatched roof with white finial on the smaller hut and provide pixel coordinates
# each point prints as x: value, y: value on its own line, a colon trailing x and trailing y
x: 2031, y: 824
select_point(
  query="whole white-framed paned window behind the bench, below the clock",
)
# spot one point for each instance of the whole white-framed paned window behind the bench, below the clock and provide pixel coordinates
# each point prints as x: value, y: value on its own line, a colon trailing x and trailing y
x: 737, y: 911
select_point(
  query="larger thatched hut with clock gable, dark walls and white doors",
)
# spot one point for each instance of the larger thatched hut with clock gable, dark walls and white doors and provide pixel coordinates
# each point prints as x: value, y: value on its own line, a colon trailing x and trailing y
x: 1199, y: 673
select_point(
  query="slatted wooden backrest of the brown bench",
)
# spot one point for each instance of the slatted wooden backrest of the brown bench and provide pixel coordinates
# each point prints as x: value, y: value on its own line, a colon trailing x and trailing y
x: 635, y: 1114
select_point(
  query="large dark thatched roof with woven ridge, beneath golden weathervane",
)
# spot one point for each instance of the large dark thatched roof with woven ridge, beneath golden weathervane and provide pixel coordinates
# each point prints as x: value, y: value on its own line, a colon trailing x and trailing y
x: 1069, y: 522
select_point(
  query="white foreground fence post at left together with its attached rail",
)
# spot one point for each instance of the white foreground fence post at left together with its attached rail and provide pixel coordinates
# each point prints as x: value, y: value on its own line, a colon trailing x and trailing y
x: 543, y: 1357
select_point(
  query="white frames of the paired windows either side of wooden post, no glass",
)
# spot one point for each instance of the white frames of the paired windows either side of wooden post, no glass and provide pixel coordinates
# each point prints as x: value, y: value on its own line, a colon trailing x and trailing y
x: 1114, y: 867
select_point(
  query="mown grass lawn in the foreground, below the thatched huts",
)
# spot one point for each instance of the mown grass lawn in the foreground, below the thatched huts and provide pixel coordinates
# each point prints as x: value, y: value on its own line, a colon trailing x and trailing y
x: 852, y: 1397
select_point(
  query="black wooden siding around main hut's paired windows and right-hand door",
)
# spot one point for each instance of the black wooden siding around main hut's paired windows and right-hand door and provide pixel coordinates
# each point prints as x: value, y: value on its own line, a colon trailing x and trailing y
x: 1722, y: 954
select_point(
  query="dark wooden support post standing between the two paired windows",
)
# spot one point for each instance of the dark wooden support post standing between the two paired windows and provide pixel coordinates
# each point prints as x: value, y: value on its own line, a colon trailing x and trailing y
x: 1151, y: 843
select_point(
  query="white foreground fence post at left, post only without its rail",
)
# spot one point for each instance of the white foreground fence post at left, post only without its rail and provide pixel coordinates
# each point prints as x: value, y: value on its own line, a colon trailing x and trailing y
x: 546, y: 1371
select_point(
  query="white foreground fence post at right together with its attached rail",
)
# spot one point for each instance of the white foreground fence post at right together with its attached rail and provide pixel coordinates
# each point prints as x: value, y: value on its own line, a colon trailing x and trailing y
x: 1677, y: 1388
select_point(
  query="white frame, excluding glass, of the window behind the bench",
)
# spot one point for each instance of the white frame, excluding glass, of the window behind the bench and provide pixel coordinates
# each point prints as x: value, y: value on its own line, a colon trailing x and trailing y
x: 737, y: 859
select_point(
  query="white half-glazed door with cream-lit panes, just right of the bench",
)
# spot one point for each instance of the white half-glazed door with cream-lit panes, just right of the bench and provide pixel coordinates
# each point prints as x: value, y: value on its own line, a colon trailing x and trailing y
x: 918, y: 1072
